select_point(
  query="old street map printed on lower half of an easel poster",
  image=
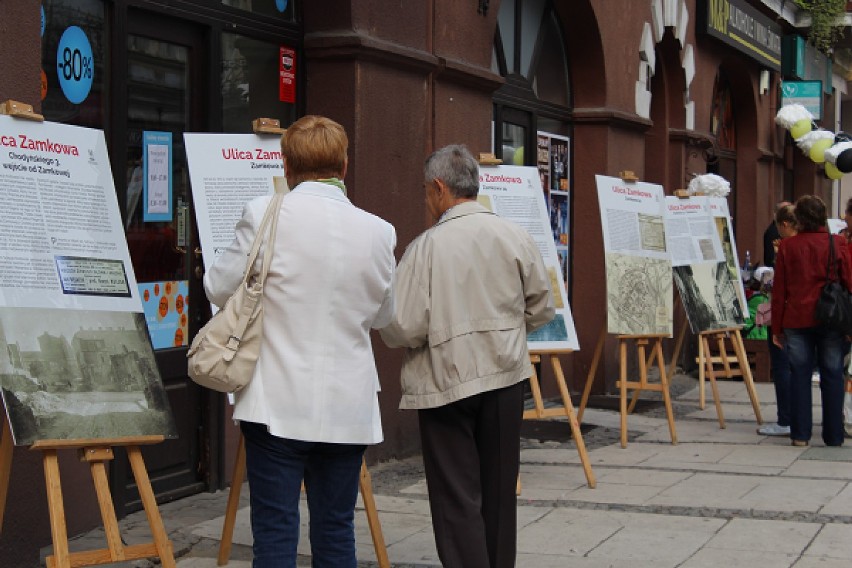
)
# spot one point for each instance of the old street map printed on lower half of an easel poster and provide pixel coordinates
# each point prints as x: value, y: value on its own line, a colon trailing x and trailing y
x: 639, y: 294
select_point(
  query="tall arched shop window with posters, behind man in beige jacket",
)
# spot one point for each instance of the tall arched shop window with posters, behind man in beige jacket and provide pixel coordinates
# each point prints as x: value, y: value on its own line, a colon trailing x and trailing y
x: 532, y: 109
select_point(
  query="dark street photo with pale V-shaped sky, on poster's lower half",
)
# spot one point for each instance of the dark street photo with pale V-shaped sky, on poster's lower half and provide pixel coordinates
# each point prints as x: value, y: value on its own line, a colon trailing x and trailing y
x: 709, y: 296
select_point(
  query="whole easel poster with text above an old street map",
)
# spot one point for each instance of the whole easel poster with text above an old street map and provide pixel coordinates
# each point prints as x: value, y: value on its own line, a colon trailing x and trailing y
x: 638, y: 266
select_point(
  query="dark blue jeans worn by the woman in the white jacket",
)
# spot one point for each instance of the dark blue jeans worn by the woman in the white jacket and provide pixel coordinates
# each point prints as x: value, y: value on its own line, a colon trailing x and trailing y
x: 275, y: 468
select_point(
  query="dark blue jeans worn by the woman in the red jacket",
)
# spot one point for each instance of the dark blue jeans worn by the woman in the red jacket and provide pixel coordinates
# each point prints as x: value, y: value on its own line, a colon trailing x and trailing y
x: 805, y: 346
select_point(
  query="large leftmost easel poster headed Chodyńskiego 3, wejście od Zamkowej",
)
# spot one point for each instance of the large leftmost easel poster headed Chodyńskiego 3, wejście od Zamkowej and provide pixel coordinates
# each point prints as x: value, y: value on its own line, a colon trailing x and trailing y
x: 75, y: 358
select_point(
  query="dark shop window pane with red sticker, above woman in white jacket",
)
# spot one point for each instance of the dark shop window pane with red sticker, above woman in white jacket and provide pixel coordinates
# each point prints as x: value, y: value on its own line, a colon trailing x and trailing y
x: 252, y: 82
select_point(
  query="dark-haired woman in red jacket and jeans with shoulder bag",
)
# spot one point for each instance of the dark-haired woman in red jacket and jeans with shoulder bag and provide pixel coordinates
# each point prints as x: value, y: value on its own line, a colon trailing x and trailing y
x: 800, y: 273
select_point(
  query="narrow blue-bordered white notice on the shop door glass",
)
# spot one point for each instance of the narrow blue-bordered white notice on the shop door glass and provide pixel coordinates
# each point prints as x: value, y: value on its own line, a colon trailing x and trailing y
x: 157, y: 175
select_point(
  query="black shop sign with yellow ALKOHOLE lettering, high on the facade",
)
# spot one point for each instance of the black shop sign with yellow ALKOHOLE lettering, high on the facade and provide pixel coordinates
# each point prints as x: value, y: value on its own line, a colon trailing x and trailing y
x: 743, y: 28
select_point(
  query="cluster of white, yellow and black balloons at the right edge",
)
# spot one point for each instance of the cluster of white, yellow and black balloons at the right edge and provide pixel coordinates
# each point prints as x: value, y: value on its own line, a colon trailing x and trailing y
x: 820, y: 145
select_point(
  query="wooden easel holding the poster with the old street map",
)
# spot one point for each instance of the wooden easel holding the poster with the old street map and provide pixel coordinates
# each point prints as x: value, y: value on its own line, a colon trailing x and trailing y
x: 646, y: 357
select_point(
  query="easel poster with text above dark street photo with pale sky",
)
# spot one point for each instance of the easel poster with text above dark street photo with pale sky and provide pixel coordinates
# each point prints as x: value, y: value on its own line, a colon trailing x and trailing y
x: 701, y: 274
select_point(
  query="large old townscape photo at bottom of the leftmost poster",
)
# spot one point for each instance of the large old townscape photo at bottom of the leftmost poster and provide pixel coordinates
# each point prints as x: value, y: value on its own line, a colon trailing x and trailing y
x: 71, y: 375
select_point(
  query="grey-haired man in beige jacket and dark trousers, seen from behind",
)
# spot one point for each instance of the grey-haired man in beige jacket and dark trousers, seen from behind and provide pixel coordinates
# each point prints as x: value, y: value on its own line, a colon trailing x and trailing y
x: 468, y: 290
